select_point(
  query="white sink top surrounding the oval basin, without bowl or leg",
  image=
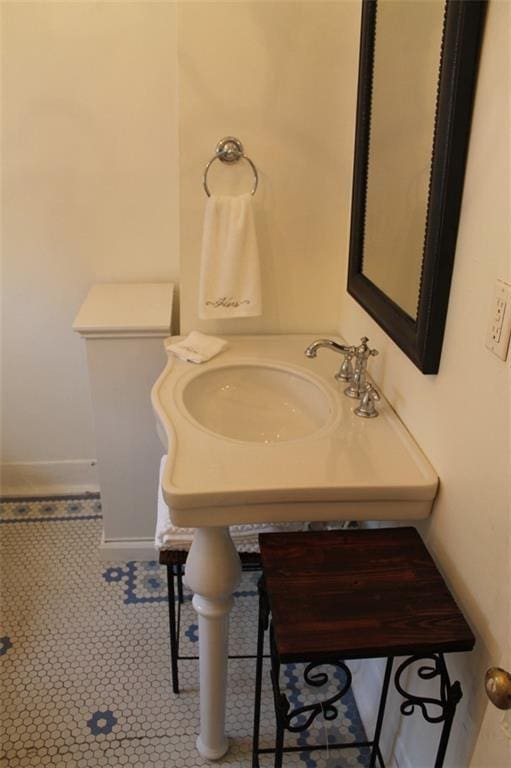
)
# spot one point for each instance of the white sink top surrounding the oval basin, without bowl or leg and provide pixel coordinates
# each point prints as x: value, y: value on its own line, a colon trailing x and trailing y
x: 351, y: 468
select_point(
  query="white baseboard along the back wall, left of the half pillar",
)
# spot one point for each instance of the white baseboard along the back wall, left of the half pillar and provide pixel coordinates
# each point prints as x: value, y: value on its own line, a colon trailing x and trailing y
x: 26, y: 479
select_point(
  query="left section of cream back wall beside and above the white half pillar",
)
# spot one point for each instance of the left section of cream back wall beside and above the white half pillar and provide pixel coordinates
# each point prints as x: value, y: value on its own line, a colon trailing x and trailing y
x: 90, y: 194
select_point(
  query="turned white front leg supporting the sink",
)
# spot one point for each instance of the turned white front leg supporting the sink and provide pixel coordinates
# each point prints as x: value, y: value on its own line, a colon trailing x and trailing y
x: 213, y: 570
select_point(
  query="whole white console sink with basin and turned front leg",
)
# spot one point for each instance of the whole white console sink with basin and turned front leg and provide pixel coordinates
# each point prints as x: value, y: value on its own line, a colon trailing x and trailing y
x: 263, y: 434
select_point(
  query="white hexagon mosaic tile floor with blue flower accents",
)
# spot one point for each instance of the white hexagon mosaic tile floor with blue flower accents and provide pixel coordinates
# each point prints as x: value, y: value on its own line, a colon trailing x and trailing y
x: 84, y: 657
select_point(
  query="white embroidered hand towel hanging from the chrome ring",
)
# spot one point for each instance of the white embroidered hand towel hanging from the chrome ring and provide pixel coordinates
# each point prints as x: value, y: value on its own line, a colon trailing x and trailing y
x: 230, y: 277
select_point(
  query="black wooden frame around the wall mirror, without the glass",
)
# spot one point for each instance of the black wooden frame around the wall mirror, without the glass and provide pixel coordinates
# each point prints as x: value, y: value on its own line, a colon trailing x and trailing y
x: 421, y: 339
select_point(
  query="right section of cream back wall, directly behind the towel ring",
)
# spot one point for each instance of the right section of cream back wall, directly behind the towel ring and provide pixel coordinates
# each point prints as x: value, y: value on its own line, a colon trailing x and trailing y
x: 282, y: 77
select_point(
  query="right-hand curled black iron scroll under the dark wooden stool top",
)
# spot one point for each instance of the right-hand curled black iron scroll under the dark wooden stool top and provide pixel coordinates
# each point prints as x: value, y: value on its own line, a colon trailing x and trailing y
x: 449, y: 694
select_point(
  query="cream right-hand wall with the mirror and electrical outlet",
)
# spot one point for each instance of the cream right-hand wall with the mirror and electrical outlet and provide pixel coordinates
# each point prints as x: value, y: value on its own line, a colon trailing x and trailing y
x: 461, y: 416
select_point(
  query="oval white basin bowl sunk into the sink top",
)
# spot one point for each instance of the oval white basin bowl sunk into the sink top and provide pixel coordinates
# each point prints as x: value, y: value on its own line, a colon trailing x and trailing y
x: 258, y: 403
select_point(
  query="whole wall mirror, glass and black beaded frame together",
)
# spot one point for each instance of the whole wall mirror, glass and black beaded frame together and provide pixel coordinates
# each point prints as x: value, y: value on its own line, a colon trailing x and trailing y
x: 417, y: 71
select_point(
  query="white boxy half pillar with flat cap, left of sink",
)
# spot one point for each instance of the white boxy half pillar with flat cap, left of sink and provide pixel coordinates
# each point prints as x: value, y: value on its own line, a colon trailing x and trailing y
x: 124, y: 325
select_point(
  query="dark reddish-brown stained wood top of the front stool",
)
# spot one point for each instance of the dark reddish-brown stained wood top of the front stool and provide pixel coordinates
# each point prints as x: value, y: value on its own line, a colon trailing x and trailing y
x: 358, y: 594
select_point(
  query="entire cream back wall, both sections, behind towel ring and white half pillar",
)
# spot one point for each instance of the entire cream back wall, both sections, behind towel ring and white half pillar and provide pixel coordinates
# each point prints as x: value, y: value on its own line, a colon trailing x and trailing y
x: 92, y: 177
